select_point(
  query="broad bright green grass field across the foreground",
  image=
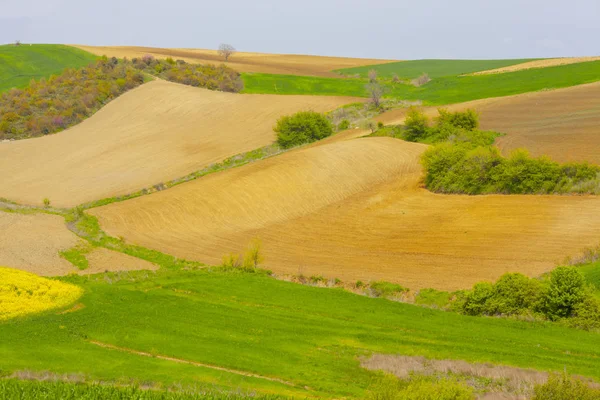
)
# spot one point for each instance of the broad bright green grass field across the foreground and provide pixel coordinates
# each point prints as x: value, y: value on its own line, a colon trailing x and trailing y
x: 249, y: 322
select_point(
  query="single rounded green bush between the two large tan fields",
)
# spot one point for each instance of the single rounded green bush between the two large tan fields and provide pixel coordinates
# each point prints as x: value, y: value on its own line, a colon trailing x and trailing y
x: 302, y: 127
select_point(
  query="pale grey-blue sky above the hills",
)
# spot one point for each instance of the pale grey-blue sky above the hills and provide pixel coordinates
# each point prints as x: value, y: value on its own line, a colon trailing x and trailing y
x: 395, y: 29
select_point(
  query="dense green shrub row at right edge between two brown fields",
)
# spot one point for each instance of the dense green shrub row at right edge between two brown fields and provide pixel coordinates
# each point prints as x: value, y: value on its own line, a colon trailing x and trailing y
x: 464, y: 161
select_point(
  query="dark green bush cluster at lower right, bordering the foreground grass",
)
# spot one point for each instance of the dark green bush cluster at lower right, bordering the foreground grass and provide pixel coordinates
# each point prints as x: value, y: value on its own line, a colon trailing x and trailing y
x: 562, y: 296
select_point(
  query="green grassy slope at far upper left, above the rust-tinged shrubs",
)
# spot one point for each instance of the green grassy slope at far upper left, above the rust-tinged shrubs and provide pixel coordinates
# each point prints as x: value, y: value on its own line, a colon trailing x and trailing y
x: 20, y: 64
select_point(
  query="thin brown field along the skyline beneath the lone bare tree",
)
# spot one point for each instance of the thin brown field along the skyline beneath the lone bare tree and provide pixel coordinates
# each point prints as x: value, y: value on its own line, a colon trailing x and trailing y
x: 288, y: 64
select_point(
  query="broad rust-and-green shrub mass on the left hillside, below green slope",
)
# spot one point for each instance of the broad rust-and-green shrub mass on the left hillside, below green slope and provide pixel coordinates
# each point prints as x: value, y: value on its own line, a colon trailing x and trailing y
x: 53, y: 104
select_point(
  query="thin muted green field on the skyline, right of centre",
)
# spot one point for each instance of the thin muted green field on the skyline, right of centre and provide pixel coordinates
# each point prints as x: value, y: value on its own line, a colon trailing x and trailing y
x: 434, y: 68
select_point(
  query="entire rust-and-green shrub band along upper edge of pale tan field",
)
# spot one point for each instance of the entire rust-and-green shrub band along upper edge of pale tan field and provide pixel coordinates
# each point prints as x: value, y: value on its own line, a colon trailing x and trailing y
x: 51, y: 105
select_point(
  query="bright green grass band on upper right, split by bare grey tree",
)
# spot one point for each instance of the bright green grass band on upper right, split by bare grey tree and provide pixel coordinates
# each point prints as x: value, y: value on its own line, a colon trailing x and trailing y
x: 446, y: 90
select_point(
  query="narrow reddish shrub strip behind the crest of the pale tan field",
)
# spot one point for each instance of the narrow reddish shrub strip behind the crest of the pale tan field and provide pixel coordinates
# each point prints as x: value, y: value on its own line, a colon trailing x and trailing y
x: 207, y: 76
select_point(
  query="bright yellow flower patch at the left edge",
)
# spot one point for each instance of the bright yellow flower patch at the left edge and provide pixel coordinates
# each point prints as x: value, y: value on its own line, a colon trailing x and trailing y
x: 23, y: 293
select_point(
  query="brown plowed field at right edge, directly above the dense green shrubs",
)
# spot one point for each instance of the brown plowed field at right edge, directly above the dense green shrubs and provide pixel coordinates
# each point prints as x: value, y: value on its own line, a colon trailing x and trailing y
x: 563, y: 124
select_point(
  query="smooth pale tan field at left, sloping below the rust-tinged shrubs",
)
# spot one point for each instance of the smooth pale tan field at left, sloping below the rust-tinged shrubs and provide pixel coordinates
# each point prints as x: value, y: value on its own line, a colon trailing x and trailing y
x: 154, y: 133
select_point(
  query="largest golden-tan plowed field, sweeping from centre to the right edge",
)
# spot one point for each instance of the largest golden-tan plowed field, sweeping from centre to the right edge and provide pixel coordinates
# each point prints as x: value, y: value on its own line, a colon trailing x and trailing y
x: 353, y: 210
